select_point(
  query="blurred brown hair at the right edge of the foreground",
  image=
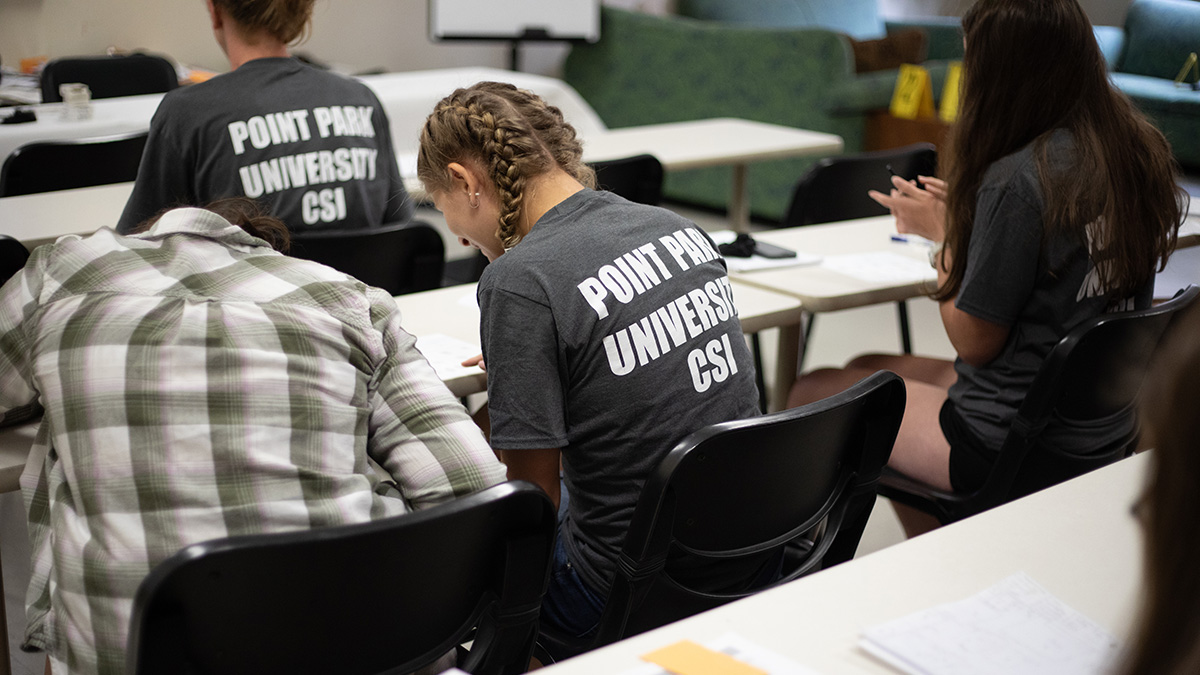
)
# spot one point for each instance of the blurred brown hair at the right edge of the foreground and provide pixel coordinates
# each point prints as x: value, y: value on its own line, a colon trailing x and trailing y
x: 1168, y: 636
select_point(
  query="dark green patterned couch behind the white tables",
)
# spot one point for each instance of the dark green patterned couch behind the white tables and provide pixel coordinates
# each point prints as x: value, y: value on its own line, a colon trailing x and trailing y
x: 652, y: 69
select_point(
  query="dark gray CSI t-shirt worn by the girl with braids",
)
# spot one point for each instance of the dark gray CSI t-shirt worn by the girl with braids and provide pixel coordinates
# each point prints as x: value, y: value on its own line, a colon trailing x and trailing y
x: 610, y: 332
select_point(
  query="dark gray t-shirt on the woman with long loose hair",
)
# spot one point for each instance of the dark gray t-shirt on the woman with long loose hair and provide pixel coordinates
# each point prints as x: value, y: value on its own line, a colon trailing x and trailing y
x: 1041, y: 283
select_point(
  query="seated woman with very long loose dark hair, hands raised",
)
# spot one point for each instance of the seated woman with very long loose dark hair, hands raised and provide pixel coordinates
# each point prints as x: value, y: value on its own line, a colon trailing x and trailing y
x: 1060, y: 204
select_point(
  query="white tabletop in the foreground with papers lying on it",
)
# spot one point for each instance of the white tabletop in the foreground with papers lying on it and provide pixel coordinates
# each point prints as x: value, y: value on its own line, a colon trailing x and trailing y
x: 1077, y: 540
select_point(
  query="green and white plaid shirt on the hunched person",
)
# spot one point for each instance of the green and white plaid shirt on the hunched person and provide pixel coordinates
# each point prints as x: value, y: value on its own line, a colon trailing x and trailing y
x: 199, y: 385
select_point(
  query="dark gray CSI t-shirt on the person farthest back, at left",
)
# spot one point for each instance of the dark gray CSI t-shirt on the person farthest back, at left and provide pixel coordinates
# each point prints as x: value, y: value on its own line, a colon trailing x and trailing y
x: 314, y: 146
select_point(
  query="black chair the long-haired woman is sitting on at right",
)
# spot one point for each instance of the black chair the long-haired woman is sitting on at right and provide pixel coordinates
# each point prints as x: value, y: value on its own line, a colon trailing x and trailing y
x: 1094, y: 374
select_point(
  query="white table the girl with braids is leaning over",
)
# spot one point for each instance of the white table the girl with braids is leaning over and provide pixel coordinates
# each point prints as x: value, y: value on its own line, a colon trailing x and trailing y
x: 453, y: 312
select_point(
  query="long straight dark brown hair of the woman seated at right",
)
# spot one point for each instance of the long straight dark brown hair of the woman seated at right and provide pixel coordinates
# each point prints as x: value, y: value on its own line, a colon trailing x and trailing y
x: 1031, y: 68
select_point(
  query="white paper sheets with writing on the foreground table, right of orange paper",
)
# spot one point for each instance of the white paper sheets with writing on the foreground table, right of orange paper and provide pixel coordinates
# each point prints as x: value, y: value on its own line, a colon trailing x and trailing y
x: 1015, y: 628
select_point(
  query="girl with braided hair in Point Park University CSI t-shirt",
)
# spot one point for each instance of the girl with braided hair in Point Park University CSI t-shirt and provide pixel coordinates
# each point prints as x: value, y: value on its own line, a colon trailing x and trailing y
x: 609, y: 328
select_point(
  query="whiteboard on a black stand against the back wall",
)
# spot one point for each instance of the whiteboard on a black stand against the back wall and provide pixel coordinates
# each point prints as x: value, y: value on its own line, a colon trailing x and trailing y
x: 515, y: 20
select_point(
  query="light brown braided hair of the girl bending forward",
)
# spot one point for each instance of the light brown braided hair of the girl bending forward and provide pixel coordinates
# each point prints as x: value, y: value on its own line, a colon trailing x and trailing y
x: 511, y: 134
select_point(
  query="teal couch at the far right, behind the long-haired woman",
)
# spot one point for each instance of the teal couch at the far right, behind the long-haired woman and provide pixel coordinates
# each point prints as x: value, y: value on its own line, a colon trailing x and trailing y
x: 1147, y: 56
